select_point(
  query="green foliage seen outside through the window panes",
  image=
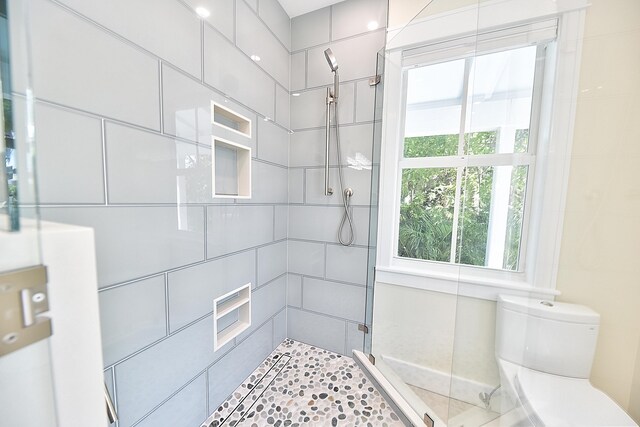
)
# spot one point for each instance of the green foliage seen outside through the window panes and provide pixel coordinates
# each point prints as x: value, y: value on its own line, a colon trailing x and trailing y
x: 428, y: 199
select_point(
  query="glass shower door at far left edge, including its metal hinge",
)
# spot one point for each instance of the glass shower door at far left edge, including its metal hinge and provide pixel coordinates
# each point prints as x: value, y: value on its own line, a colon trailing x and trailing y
x: 26, y: 390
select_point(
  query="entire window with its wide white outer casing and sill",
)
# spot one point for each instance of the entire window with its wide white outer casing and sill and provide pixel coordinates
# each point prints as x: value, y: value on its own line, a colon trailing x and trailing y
x: 477, y: 130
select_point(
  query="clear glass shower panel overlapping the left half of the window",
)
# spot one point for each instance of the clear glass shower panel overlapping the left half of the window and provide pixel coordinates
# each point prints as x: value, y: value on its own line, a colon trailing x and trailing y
x: 413, y: 317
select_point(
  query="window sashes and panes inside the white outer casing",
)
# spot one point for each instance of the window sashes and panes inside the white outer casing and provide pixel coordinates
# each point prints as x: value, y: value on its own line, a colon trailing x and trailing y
x: 467, y: 158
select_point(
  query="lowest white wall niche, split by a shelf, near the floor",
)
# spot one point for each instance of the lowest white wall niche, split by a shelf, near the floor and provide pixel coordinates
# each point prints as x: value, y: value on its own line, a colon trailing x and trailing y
x: 235, y: 303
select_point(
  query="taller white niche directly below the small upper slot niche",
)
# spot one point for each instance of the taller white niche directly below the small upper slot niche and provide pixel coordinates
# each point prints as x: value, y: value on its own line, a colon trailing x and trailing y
x: 231, y: 172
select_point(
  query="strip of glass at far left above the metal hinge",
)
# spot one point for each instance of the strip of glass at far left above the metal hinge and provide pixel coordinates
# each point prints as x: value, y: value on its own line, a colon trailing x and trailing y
x: 19, y: 223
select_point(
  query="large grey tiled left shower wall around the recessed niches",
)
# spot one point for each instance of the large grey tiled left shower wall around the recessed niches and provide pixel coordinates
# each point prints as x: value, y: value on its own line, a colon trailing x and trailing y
x: 124, y: 129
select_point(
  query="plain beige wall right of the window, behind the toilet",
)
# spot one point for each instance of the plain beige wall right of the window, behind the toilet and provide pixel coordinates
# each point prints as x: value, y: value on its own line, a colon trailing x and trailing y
x: 600, y: 256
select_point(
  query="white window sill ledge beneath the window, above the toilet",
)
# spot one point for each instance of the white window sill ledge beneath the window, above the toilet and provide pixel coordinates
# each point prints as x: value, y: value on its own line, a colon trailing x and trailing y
x: 463, y: 284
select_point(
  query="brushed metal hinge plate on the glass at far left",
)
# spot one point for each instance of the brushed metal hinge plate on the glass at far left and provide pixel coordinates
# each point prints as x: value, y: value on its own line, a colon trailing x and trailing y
x: 23, y: 298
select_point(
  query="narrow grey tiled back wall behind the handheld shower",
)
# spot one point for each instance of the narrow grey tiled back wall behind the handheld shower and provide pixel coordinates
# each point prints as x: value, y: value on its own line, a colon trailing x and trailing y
x: 327, y: 281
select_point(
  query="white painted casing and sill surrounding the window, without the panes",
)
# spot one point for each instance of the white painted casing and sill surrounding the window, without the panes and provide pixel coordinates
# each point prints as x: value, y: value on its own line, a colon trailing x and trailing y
x: 551, y: 165
